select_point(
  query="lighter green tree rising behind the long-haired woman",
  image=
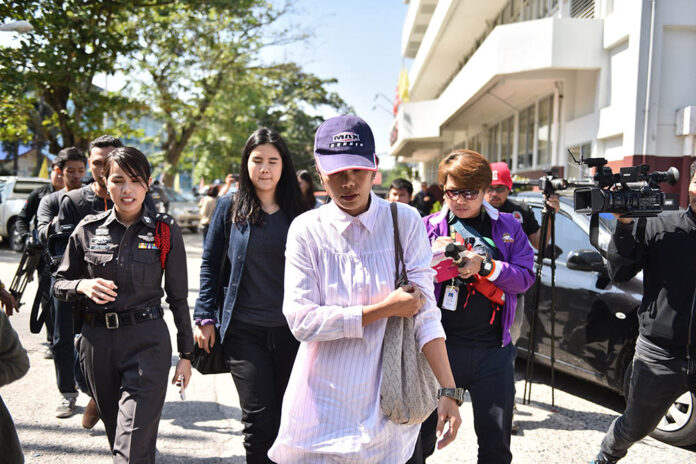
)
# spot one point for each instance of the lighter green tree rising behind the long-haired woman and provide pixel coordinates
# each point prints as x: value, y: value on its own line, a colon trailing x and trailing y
x: 205, y: 80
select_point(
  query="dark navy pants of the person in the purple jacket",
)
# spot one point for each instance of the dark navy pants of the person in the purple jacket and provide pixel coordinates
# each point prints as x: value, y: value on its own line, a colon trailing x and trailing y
x: 489, y: 376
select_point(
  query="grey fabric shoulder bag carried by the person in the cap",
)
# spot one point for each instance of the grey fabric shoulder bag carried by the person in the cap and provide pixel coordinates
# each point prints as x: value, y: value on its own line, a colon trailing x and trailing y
x: 408, y: 394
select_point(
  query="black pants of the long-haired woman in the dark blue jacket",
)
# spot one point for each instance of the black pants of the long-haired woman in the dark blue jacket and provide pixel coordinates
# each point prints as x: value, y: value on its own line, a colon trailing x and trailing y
x: 260, y: 359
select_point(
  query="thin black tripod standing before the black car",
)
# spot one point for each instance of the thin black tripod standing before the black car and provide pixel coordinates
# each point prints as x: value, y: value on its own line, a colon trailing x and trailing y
x: 548, y: 221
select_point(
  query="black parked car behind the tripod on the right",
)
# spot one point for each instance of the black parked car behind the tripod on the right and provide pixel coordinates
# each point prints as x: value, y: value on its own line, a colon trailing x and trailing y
x: 596, y: 323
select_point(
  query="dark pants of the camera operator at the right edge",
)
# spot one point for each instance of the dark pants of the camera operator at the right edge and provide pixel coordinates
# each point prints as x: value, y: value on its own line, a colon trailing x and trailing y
x: 657, y: 380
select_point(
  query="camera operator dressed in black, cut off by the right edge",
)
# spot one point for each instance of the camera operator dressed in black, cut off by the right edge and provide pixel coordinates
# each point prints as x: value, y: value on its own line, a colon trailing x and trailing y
x: 664, y: 365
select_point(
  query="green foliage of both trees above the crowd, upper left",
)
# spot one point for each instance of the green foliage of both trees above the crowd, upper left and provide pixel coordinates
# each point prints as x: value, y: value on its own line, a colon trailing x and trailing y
x: 194, y: 65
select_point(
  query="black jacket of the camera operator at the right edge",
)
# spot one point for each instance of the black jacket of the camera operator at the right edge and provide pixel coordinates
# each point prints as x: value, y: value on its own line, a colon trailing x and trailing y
x: 666, y: 254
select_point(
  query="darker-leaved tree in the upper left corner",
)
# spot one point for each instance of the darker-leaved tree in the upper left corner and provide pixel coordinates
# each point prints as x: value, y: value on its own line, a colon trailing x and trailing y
x: 55, y: 65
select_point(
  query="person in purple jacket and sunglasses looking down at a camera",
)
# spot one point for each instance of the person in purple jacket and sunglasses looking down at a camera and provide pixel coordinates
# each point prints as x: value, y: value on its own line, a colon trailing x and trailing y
x: 478, y: 328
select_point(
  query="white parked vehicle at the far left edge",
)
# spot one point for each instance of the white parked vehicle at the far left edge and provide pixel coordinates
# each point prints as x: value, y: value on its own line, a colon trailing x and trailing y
x: 14, y: 192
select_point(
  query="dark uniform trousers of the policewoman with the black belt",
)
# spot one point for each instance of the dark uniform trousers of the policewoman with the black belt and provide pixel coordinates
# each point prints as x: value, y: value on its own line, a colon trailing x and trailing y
x: 127, y: 370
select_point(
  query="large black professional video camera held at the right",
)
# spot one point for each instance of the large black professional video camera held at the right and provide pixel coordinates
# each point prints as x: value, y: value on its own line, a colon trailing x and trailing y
x: 634, y: 192
